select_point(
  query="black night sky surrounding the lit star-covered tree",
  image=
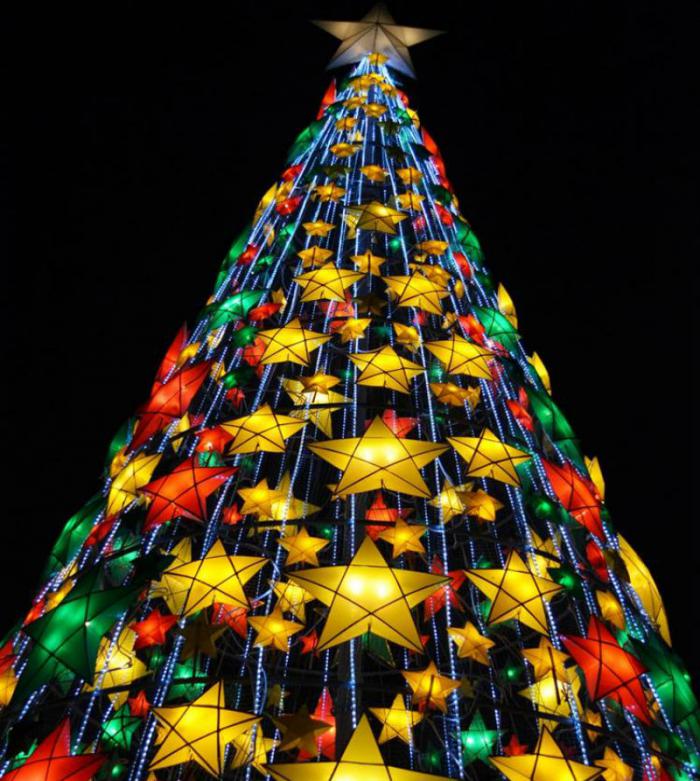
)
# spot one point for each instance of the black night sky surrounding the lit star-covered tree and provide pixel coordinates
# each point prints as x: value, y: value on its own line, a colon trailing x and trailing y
x: 145, y: 136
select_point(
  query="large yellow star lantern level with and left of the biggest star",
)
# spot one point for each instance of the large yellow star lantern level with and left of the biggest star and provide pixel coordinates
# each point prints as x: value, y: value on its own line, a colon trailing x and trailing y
x: 217, y: 577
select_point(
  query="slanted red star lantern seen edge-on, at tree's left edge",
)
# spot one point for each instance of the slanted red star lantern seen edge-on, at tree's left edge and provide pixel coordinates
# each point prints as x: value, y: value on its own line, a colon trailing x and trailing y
x: 169, y: 402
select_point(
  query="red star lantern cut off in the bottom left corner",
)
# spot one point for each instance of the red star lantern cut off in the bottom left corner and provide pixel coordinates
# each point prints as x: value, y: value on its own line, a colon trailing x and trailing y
x: 52, y: 761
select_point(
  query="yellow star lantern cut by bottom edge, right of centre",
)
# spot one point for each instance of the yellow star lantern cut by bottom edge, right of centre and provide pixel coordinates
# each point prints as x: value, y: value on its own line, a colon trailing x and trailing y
x: 547, y: 763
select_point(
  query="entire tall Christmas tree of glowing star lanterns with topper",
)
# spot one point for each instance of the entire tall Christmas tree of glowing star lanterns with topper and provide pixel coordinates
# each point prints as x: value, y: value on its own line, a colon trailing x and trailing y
x: 350, y: 532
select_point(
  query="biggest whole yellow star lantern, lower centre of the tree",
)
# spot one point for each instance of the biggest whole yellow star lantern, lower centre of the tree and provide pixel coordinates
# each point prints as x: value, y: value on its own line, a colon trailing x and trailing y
x: 367, y: 595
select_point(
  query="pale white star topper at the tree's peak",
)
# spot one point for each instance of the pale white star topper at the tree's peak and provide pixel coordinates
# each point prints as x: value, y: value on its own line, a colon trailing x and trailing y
x: 377, y: 34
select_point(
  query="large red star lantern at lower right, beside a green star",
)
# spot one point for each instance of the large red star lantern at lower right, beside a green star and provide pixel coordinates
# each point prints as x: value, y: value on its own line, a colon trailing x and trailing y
x: 610, y: 671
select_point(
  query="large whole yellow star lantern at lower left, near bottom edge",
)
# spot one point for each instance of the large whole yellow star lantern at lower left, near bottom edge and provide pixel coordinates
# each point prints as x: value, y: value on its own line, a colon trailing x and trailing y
x: 199, y: 731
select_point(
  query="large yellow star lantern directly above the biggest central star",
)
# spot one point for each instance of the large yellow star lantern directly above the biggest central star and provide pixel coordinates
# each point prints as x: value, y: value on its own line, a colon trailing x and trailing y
x: 379, y: 459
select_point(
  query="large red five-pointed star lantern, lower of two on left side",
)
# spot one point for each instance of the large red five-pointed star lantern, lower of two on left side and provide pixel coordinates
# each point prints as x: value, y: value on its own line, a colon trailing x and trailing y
x: 183, y: 492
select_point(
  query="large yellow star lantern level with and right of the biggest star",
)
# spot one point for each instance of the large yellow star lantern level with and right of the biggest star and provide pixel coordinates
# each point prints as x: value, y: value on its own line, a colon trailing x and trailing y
x: 515, y: 593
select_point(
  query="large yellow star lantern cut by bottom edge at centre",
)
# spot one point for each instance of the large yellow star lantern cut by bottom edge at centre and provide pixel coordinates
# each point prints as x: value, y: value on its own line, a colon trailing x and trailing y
x: 360, y: 760
